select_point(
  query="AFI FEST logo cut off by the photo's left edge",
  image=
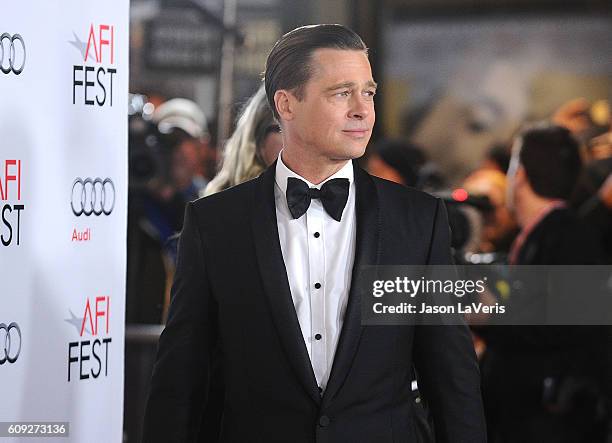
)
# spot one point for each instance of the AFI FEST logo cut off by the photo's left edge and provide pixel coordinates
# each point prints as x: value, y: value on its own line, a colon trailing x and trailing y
x: 11, y: 204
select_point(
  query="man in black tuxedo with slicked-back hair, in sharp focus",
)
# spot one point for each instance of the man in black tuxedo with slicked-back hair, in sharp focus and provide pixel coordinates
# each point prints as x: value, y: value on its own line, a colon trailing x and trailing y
x: 263, y: 300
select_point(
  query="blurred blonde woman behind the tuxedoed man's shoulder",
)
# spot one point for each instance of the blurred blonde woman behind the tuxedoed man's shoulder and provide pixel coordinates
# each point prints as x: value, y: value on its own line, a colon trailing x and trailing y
x: 252, y: 147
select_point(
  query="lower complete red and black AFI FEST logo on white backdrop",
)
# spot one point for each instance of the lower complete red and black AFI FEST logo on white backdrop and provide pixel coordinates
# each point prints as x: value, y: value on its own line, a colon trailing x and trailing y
x: 88, y: 356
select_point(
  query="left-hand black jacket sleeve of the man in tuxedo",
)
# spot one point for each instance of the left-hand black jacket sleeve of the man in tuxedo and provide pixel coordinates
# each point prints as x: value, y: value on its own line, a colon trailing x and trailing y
x: 180, y: 382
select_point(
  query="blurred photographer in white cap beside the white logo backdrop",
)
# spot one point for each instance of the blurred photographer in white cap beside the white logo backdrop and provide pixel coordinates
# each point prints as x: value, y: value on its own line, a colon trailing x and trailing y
x: 169, y: 156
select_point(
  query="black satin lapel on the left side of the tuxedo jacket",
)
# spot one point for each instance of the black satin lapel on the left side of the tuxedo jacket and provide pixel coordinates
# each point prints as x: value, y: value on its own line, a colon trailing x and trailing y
x: 274, y: 278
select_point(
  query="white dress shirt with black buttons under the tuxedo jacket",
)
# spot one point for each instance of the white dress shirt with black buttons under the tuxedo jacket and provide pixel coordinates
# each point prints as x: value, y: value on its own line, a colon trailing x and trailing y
x: 319, y: 253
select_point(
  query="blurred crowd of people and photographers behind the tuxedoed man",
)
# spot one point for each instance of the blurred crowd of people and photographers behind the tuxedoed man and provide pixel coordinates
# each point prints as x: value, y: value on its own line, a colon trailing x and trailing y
x: 543, y: 197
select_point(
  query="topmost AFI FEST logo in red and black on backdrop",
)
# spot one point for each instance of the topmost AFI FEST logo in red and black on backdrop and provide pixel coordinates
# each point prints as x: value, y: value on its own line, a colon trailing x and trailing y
x: 92, y: 81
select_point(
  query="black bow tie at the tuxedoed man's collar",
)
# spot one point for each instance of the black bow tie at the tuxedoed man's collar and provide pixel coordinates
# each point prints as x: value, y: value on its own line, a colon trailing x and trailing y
x: 333, y: 195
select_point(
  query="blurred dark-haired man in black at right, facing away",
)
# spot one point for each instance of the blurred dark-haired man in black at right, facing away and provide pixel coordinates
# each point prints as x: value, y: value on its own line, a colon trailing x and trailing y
x: 546, y: 383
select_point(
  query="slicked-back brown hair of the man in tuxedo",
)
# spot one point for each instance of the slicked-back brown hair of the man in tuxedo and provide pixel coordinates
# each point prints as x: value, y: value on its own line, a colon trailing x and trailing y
x: 289, y: 64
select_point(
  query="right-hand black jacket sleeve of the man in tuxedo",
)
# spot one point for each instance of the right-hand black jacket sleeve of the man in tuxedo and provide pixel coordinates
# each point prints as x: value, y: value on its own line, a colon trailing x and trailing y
x: 447, y: 370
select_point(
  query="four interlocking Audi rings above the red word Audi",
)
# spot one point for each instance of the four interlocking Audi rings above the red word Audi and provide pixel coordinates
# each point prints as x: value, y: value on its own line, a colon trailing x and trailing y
x: 92, y: 196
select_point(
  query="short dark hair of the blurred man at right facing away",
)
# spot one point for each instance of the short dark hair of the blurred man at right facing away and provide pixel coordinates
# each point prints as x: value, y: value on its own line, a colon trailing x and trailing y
x: 551, y: 158
